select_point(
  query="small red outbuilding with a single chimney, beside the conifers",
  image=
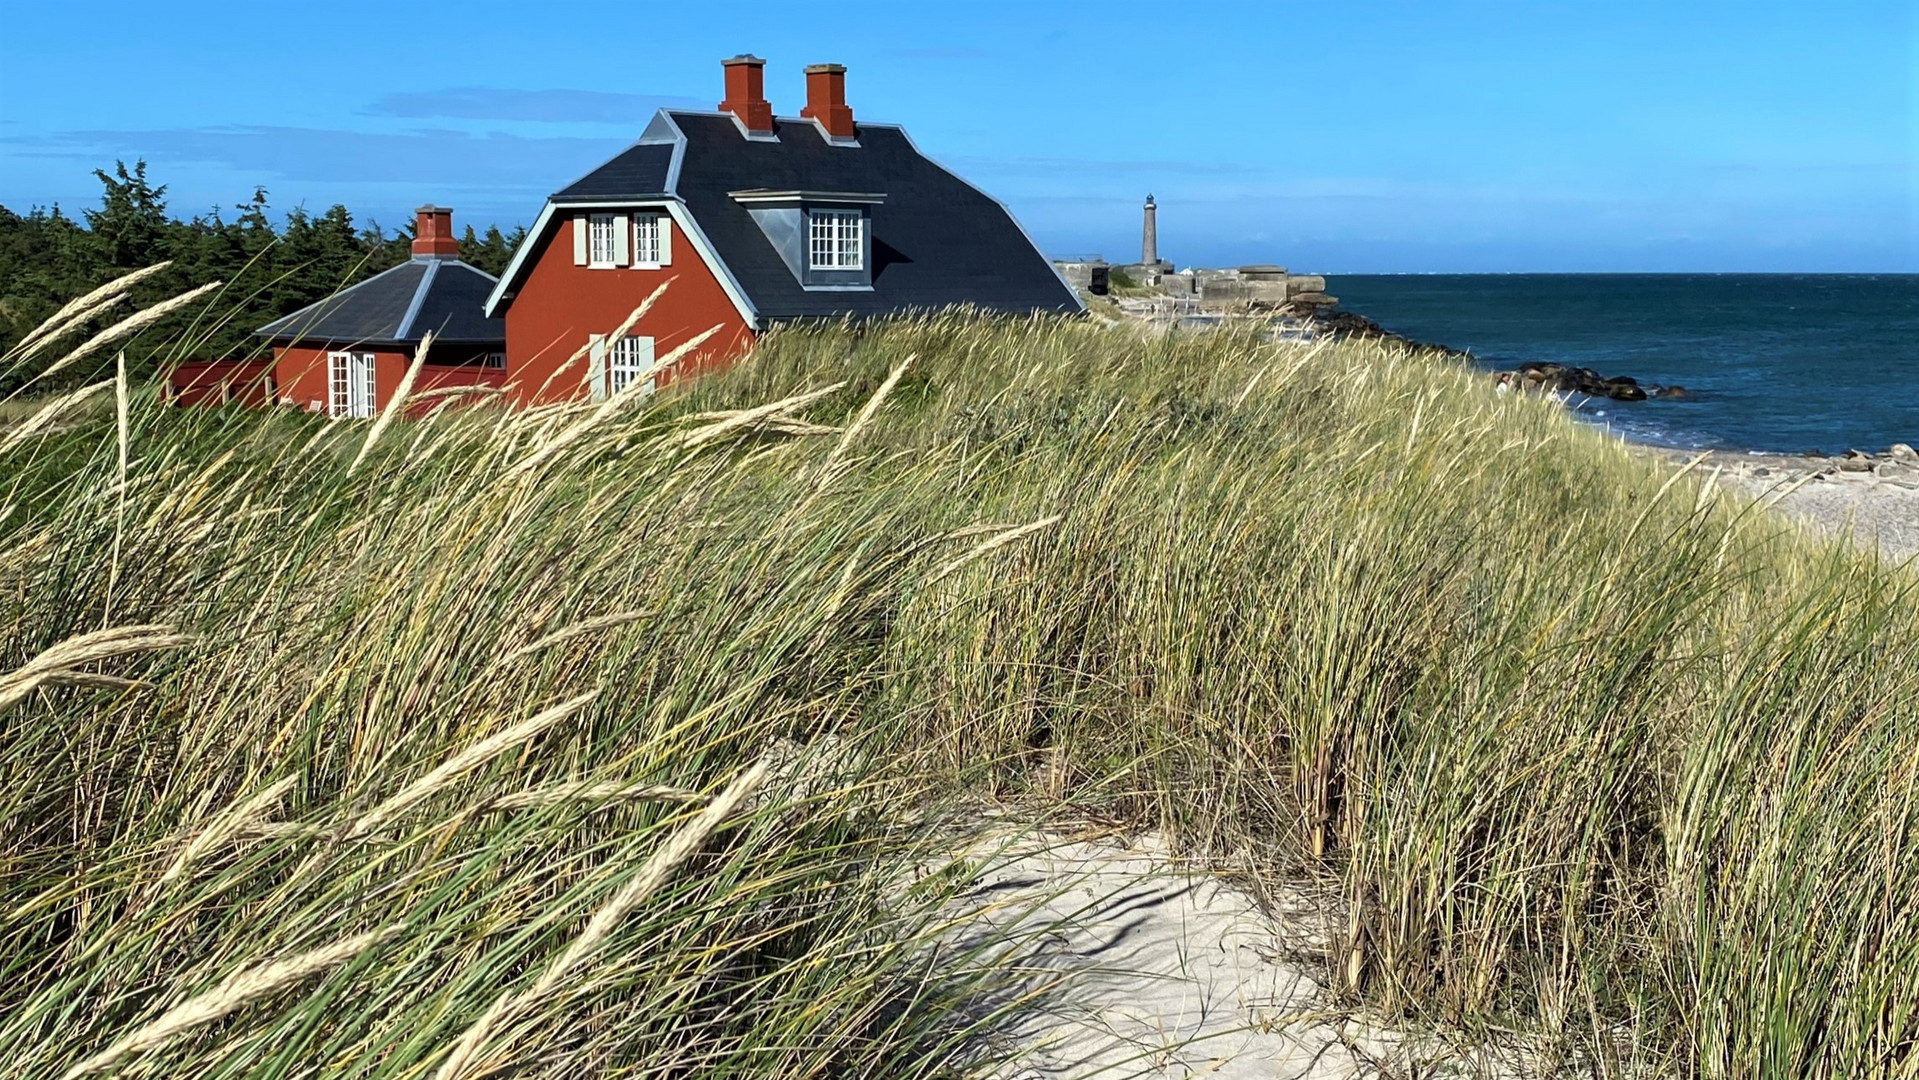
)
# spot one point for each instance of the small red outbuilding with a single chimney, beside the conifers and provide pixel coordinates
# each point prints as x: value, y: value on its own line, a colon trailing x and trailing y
x: 346, y: 354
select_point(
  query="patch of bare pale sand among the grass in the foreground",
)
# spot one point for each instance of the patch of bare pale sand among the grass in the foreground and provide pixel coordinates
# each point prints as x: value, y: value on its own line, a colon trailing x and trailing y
x: 1168, y: 974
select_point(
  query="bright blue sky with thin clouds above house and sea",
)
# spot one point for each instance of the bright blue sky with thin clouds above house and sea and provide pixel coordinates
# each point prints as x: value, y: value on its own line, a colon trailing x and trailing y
x: 1335, y: 135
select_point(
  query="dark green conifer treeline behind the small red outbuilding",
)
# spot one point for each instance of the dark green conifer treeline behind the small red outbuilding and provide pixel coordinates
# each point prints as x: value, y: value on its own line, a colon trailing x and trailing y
x: 49, y: 258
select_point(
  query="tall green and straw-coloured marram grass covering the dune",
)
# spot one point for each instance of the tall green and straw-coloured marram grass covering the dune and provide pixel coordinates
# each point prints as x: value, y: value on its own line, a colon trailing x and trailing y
x: 1582, y: 749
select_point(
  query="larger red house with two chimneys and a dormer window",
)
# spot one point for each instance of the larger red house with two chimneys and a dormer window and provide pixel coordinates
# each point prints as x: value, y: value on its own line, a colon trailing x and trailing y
x: 757, y: 222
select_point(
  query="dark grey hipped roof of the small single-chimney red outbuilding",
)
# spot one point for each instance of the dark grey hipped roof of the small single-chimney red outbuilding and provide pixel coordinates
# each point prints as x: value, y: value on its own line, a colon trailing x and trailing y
x: 398, y: 308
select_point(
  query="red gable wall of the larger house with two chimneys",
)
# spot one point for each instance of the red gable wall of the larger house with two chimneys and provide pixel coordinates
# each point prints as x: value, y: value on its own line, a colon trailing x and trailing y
x: 561, y: 304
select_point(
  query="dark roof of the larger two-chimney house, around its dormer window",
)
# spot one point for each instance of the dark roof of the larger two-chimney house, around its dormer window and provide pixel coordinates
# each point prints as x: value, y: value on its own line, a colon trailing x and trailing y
x: 937, y: 241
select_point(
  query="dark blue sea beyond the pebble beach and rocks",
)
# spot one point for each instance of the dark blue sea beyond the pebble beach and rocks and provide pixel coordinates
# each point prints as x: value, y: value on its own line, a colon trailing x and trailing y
x: 1776, y: 364
